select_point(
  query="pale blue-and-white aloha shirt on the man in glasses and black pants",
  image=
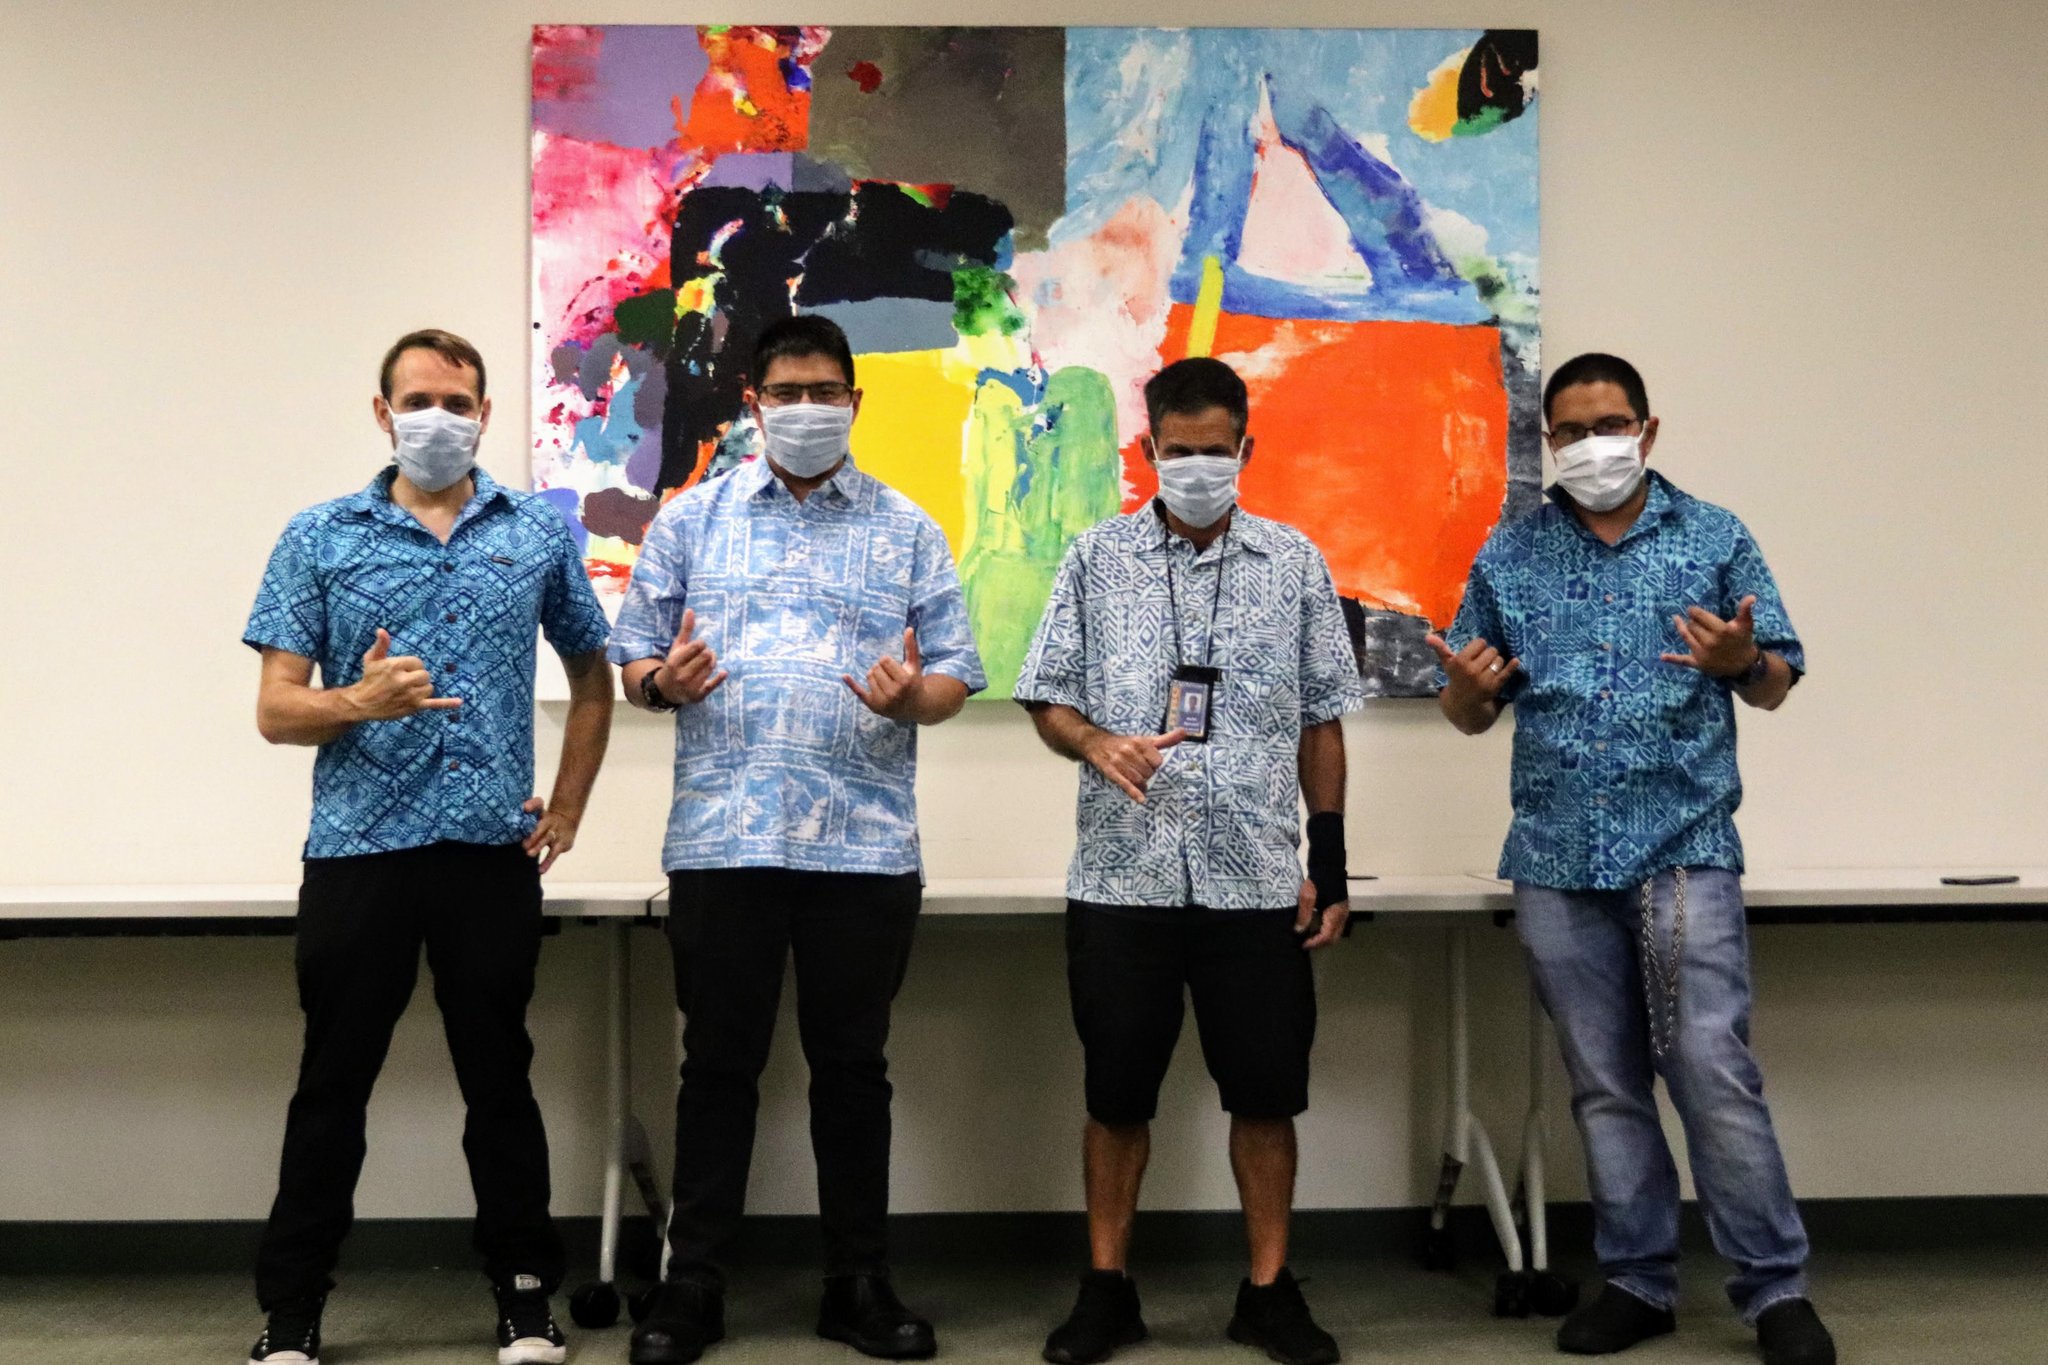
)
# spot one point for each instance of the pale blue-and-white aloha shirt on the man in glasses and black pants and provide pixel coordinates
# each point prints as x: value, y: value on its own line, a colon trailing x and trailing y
x: 783, y: 766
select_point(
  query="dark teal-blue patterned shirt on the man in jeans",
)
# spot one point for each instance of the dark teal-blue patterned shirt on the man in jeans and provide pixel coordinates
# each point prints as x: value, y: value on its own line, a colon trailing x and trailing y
x: 1625, y: 766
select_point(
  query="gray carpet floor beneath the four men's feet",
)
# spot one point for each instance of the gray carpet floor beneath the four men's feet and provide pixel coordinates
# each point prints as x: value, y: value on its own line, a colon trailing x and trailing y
x: 1973, y: 1309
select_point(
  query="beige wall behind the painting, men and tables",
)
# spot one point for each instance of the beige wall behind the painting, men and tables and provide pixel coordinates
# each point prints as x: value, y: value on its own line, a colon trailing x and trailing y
x: 1818, y: 228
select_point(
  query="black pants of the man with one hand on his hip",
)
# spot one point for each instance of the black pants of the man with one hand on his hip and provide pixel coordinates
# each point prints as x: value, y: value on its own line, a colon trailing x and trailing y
x: 361, y: 928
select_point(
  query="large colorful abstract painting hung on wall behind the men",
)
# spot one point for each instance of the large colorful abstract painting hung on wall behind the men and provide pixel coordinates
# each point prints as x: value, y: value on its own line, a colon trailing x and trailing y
x: 1017, y: 228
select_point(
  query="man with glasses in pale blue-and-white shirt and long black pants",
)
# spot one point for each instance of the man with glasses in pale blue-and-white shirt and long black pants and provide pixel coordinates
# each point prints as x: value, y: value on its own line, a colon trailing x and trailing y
x: 802, y: 621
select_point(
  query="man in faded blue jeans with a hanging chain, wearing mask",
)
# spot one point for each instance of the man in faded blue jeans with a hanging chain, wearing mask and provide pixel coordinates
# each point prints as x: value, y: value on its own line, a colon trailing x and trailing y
x: 1623, y: 623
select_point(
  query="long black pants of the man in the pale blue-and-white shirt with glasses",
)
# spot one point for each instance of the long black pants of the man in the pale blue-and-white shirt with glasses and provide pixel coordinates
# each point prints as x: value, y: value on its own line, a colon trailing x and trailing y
x: 732, y: 932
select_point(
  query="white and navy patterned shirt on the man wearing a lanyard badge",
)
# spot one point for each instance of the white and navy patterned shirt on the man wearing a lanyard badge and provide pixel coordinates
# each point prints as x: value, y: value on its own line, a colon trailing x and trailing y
x: 1222, y: 820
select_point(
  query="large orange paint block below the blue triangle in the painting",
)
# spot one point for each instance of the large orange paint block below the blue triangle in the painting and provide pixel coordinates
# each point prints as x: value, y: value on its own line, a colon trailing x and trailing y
x: 1383, y: 441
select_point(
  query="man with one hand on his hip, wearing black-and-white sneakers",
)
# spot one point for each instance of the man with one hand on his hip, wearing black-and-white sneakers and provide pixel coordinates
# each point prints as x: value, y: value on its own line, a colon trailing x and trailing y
x: 417, y: 599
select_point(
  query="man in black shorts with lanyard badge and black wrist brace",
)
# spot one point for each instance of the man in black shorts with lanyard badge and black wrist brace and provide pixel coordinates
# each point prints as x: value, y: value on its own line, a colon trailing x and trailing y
x: 1195, y: 662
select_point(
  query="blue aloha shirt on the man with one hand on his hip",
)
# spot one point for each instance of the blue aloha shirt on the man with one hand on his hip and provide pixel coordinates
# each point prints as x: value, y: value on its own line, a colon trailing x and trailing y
x: 468, y: 609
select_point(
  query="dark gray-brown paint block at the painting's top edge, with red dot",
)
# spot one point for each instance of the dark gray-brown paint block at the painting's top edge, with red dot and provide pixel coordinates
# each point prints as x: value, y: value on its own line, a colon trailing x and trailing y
x: 980, y: 109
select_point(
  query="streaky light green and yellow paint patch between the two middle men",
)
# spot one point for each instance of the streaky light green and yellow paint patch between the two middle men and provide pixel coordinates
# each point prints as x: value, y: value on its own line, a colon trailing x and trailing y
x: 1037, y: 476
